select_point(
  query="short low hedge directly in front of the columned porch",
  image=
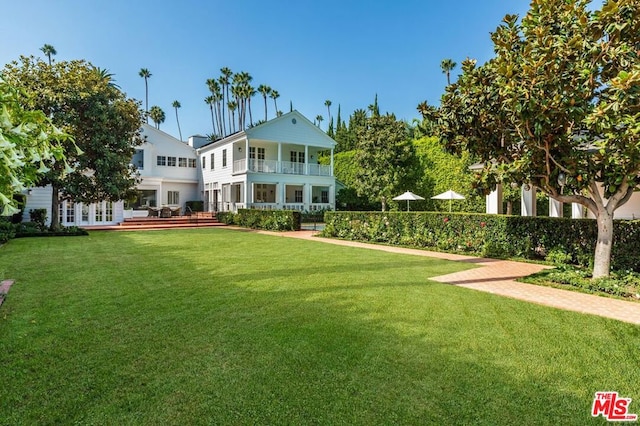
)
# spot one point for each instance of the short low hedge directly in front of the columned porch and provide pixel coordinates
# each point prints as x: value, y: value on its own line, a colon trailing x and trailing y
x: 269, y: 220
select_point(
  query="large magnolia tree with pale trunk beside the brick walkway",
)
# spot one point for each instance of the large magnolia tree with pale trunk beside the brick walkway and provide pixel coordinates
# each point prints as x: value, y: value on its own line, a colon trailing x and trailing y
x: 558, y: 107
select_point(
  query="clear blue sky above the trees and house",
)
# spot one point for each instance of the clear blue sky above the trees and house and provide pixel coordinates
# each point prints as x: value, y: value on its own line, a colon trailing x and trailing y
x: 341, y: 50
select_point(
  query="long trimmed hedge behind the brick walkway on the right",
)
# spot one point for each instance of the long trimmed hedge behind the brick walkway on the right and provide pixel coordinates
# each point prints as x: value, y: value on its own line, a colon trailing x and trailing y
x: 489, y: 235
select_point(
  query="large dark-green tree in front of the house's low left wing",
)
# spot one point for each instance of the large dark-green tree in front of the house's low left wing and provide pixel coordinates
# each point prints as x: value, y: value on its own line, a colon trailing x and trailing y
x: 99, y: 117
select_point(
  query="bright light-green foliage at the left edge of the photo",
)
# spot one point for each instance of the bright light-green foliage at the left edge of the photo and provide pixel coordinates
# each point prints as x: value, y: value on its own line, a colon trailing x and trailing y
x: 29, y: 142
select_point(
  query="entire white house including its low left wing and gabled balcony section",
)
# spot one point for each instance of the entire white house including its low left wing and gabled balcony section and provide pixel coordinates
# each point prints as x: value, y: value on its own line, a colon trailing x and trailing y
x: 273, y: 165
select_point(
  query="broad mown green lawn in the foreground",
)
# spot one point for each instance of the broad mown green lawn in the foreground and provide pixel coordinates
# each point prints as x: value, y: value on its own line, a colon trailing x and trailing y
x: 225, y: 327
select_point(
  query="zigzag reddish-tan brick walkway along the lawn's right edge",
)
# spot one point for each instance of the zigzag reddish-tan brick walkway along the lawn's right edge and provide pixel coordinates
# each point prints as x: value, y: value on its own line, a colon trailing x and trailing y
x: 498, y: 277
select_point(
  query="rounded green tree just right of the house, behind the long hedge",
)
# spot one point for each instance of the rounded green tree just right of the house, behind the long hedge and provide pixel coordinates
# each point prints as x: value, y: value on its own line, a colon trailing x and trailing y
x: 386, y: 159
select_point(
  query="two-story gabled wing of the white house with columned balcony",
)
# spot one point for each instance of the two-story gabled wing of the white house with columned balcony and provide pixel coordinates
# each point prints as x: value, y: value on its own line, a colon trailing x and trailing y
x: 273, y: 165
